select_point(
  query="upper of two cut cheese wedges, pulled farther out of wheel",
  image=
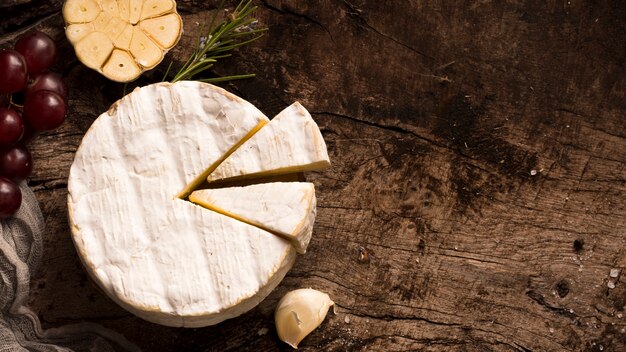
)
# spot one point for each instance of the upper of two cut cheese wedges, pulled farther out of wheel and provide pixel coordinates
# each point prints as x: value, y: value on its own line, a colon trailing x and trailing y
x: 291, y: 142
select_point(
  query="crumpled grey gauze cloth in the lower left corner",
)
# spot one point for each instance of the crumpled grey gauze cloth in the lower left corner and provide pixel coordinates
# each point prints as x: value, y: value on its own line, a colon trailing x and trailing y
x: 20, y: 330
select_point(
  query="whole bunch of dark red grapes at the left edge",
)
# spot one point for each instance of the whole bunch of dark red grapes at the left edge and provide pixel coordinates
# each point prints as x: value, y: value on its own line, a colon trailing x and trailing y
x: 31, y: 99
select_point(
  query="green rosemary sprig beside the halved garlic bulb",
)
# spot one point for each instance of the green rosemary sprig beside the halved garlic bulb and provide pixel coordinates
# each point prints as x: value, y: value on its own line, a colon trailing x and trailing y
x: 237, y: 29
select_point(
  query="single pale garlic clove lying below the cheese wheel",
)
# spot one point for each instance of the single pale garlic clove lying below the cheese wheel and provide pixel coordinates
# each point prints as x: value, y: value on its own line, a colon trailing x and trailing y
x: 299, y: 312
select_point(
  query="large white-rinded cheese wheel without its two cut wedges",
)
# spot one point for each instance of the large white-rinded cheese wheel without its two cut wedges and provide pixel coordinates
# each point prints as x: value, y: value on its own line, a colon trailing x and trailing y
x: 160, y: 257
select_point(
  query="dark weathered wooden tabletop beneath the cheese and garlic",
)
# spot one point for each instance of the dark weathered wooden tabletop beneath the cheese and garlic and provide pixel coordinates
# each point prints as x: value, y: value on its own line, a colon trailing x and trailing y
x: 477, y: 198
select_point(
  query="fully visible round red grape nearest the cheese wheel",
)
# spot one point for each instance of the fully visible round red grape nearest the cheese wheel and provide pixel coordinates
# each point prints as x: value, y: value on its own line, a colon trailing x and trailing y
x: 44, y: 110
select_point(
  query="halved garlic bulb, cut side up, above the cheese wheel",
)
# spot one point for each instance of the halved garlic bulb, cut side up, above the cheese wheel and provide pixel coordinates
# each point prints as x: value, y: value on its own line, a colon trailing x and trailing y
x: 122, y: 38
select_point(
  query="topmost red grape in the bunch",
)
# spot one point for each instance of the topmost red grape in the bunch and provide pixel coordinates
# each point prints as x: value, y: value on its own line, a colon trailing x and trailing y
x: 38, y: 50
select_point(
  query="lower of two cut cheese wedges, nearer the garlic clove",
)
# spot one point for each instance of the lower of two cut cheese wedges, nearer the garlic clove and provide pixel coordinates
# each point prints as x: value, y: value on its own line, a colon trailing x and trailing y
x: 283, y: 208
